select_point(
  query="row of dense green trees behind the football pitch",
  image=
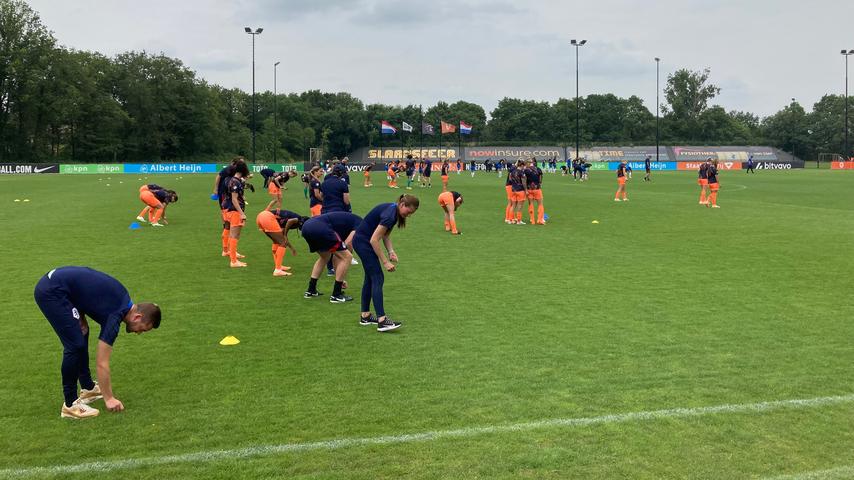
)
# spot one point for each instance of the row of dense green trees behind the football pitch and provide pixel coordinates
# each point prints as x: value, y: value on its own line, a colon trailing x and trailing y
x: 64, y: 105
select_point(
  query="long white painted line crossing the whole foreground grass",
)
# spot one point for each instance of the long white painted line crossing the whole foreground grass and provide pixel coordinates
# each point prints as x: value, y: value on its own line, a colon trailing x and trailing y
x: 272, y: 450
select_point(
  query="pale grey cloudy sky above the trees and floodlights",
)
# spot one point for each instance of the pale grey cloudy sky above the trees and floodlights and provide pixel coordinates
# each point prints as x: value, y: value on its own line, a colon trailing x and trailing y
x: 761, y: 53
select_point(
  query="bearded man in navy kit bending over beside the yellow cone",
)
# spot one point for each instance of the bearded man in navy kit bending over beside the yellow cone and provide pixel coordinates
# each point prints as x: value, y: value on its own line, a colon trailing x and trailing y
x: 66, y: 296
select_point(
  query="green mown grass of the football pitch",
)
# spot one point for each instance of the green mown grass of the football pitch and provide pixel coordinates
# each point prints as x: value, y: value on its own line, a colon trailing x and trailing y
x: 663, y: 304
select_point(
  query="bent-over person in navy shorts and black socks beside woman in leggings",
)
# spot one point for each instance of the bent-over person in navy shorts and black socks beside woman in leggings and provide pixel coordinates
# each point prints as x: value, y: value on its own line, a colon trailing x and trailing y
x: 331, y: 236
